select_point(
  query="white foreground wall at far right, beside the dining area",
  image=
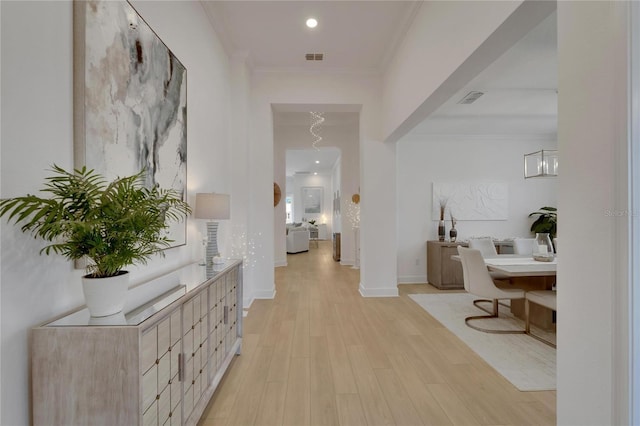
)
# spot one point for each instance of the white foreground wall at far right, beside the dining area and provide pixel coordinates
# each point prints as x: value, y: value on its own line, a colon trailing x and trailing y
x: 593, y: 285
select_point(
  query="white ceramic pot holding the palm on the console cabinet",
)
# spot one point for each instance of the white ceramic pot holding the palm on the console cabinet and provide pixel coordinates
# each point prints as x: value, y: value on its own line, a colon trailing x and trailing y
x: 105, y: 296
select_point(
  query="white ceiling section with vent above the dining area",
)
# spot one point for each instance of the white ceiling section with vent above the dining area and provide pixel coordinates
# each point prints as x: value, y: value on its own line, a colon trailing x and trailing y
x: 520, y: 93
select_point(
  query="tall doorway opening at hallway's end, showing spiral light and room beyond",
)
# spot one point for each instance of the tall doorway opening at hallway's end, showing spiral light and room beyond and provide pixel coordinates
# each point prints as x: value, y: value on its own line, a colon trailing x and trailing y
x: 318, y: 175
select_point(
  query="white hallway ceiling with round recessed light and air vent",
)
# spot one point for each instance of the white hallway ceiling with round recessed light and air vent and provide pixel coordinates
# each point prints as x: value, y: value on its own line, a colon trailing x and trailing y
x: 354, y: 36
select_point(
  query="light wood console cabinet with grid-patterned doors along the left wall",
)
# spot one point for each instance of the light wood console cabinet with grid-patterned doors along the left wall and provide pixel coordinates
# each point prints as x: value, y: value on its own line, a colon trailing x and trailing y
x: 157, y: 365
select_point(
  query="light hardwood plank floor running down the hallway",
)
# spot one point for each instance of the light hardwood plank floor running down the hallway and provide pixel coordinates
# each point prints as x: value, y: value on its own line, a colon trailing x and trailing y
x: 320, y: 354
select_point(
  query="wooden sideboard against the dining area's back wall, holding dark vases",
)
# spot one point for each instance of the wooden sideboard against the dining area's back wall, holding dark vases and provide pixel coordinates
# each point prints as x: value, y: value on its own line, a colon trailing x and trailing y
x: 443, y: 272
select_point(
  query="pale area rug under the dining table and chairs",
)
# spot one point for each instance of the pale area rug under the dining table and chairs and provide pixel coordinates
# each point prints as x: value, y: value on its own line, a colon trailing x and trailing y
x: 527, y: 363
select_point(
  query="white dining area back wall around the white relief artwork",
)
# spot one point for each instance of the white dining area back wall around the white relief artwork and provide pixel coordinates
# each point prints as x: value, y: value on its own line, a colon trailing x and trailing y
x: 428, y: 159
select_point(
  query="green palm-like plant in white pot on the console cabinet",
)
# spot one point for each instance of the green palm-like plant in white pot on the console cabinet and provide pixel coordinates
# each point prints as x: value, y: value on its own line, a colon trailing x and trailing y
x: 112, y: 225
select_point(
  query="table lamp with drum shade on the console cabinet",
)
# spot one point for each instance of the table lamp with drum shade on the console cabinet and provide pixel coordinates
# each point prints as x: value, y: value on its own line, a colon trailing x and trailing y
x: 212, y: 207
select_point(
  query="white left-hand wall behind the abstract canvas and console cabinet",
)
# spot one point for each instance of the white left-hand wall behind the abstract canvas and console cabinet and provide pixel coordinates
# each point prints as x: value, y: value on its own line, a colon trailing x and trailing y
x: 36, y: 132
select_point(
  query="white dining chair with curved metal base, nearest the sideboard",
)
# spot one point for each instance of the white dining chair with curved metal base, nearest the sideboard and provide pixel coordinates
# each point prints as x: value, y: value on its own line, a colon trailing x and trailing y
x: 478, y: 282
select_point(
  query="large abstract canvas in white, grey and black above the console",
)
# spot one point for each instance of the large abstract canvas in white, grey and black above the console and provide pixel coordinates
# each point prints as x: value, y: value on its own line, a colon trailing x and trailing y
x: 130, y: 100
